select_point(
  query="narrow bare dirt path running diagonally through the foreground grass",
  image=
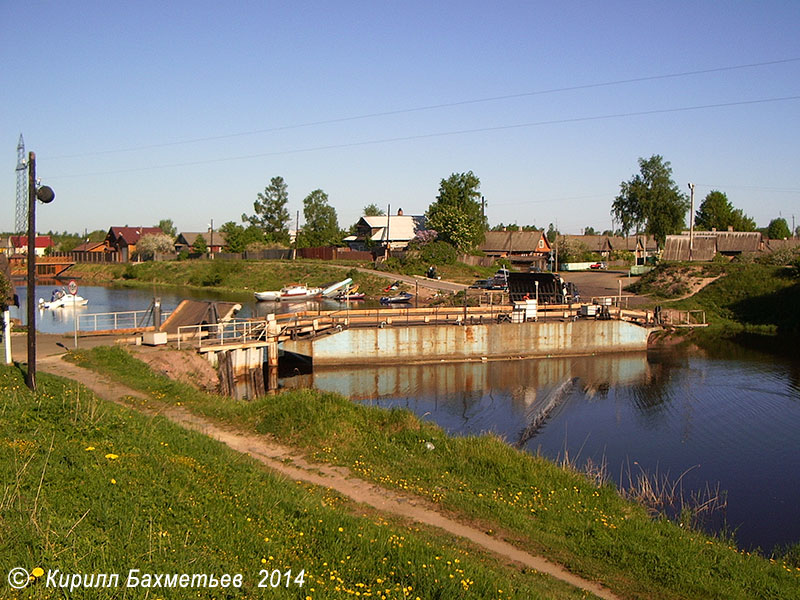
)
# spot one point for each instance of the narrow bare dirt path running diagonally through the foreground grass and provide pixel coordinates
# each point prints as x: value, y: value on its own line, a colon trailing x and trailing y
x: 288, y: 462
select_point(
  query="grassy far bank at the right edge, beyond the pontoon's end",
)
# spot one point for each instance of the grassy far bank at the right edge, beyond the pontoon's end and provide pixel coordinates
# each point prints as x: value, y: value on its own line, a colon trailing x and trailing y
x: 746, y: 297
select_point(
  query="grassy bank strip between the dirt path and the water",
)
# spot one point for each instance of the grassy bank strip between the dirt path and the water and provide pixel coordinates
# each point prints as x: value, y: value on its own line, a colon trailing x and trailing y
x: 527, y: 500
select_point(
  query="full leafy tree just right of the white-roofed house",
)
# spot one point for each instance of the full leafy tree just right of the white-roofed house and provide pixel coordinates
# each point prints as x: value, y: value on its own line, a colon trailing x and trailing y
x: 456, y: 214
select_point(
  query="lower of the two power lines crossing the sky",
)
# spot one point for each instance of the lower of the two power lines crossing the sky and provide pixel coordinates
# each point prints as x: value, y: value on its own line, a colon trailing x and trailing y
x: 435, y: 135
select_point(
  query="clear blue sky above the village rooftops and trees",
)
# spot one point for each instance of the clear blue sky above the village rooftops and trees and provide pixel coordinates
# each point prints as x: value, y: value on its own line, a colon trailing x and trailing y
x: 140, y: 111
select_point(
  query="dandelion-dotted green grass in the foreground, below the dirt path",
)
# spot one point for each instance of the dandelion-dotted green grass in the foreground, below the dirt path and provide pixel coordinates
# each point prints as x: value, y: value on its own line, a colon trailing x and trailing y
x: 89, y: 487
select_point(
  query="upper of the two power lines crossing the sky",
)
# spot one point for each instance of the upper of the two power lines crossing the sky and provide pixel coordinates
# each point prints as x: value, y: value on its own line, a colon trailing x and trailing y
x: 434, y: 107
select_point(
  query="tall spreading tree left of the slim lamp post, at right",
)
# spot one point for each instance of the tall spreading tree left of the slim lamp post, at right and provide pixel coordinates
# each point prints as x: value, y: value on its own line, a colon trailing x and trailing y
x: 651, y: 201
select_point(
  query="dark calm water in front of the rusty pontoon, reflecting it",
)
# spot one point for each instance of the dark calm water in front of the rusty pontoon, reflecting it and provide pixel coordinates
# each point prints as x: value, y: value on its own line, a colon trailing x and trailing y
x: 730, y: 417
